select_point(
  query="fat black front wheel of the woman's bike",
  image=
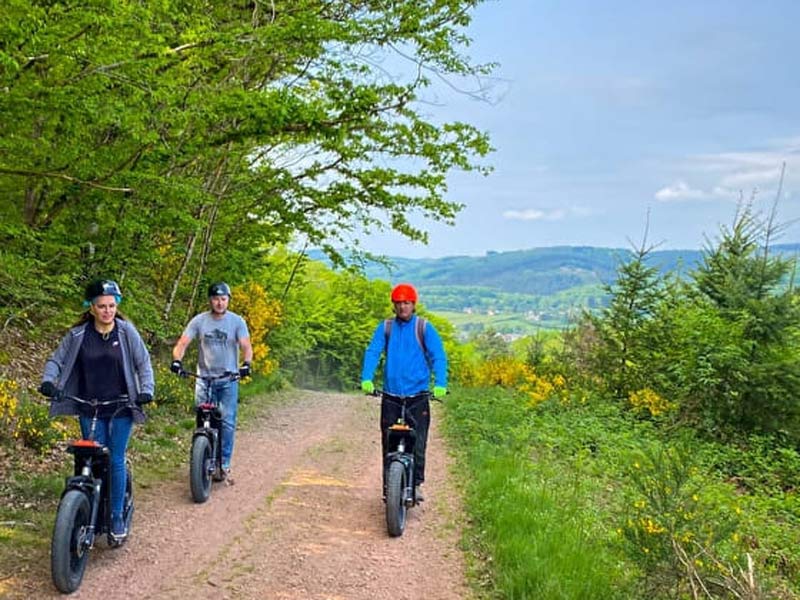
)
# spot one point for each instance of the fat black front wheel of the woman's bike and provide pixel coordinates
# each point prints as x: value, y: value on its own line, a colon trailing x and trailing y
x: 69, y: 550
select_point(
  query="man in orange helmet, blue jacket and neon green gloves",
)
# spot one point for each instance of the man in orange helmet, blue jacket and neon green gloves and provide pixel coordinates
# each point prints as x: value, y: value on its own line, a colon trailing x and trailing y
x: 412, y: 354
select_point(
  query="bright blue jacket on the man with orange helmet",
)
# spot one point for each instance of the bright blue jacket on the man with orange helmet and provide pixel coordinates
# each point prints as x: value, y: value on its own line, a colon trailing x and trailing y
x: 407, y: 371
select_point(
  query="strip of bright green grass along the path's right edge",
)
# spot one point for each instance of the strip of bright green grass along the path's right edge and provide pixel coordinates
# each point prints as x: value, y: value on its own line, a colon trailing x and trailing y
x: 537, y: 524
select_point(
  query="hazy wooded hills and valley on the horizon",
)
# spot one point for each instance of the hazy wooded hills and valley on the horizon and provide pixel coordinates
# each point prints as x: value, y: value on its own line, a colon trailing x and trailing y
x: 543, y: 287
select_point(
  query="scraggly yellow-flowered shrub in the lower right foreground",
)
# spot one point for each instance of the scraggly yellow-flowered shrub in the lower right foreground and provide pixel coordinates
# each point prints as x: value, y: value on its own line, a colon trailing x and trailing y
x: 681, y: 529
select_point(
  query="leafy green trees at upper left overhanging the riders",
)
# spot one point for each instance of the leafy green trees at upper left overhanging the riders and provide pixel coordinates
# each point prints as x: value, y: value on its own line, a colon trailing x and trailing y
x: 172, y: 143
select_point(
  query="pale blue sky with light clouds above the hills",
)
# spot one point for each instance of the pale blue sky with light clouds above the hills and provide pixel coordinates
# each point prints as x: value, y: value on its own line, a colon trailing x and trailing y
x: 610, y: 119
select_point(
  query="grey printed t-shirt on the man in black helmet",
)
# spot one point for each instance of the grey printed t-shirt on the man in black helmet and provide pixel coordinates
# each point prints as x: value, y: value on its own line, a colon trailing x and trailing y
x: 218, y: 342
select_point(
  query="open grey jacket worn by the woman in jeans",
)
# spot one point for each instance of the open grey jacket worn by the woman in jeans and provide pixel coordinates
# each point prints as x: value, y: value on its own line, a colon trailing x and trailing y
x: 60, y: 368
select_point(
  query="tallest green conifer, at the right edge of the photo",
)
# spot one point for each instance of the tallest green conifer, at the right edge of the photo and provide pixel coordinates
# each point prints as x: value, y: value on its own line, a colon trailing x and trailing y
x: 757, y: 376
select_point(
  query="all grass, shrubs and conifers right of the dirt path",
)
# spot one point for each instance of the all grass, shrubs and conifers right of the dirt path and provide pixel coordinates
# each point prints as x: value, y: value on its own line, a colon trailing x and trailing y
x: 653, y: 453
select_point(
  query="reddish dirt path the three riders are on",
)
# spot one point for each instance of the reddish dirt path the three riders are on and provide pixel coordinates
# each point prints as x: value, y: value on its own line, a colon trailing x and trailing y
x: 304, y: 520
